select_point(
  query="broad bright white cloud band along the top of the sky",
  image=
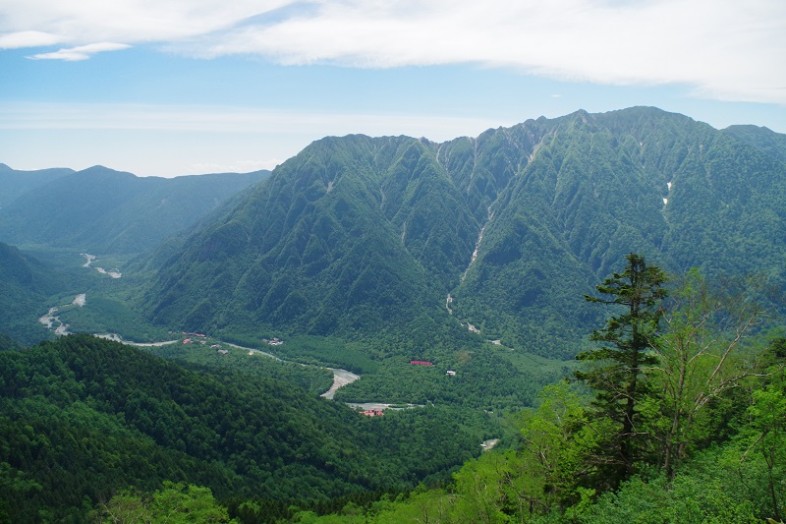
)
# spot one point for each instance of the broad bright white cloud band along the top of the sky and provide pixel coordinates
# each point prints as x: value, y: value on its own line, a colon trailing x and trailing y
x: 721, y: 48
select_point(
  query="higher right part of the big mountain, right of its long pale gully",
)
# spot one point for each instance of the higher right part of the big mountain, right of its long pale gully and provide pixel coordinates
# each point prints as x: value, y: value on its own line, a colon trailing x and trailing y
x: 600, y: 186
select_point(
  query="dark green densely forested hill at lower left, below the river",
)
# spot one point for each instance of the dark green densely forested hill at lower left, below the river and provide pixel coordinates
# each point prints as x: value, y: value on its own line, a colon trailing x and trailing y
x: 81, y: 418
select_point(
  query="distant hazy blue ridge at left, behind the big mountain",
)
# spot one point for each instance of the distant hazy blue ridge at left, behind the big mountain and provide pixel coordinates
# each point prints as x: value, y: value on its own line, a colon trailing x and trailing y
x: 105, y: 211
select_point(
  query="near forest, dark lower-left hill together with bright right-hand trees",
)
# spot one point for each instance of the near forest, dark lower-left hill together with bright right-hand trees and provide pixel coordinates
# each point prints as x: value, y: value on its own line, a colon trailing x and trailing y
x: 677, y: 413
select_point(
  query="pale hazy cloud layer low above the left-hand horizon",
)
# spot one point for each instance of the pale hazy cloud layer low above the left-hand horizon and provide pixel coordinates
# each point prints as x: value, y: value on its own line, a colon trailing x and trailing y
x: 149, y: 139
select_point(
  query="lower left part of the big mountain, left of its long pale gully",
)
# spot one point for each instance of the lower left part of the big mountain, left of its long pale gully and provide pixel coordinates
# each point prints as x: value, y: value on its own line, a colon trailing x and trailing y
x: 352, y: 234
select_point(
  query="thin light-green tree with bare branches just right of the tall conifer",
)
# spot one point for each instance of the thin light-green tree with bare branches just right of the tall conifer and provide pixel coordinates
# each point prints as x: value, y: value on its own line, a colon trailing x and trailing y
x: 700, y: 359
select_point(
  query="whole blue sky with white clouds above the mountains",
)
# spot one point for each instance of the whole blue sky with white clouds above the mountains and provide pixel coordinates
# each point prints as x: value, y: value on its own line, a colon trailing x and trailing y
x: 176, y: 87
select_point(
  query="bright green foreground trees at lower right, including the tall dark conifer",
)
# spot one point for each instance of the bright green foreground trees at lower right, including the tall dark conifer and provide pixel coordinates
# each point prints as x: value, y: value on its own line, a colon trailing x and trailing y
x: 677, y: 415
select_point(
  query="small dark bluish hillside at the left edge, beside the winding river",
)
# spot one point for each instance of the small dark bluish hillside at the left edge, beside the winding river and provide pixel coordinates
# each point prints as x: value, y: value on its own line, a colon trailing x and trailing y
x: 24, y: 284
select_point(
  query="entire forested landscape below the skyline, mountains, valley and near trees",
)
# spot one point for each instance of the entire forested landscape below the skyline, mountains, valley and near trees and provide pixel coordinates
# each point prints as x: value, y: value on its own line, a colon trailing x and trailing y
x: 481, y: 256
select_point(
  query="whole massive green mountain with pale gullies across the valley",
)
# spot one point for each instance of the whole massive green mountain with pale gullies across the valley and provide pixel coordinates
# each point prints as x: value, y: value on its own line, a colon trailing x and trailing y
x: 500, y: 234
